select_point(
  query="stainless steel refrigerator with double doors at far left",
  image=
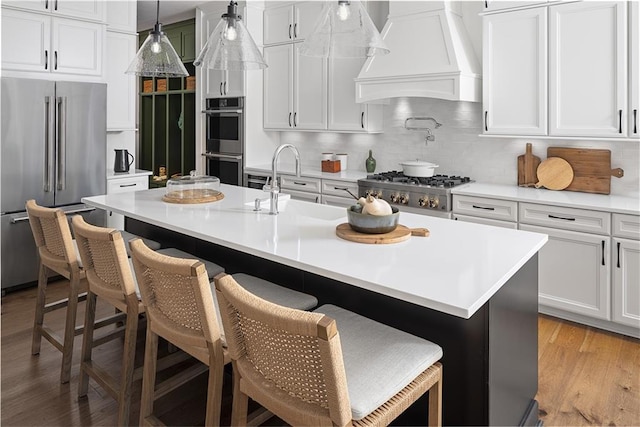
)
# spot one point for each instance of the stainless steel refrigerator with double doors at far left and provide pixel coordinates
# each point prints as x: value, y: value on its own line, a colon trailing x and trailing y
x: 53, y: 151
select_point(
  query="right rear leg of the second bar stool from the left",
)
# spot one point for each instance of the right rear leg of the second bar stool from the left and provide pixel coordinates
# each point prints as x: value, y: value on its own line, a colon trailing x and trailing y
x: 128, y: 360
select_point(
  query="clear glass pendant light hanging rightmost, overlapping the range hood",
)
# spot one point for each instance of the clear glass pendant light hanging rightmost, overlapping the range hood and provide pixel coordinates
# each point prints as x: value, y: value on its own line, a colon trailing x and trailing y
x: 344, y: 30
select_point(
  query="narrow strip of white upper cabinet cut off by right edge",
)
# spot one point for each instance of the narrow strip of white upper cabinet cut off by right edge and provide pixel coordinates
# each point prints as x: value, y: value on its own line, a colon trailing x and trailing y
x: 634, y: 69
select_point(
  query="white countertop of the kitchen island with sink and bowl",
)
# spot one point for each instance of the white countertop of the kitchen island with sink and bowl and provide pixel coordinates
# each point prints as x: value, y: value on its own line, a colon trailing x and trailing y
x: 455, y: 270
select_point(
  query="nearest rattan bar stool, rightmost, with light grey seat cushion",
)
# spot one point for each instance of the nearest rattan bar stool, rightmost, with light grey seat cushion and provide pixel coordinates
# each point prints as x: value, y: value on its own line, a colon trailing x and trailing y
x: 327, y: 367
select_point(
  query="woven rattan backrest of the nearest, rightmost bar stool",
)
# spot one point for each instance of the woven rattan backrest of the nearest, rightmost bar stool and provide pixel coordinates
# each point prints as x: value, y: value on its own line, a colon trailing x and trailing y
x: 297, y: 351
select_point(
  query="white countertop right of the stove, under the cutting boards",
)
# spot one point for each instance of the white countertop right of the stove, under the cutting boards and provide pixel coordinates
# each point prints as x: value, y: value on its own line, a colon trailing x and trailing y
x: 571, y: 199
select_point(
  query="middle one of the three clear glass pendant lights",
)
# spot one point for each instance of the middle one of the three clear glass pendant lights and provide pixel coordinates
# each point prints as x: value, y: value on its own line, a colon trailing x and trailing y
x: 230, y: 46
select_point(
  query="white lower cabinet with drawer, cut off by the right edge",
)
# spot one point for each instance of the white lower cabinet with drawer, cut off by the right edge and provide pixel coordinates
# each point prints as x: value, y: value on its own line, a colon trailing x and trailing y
x: 626, y: 270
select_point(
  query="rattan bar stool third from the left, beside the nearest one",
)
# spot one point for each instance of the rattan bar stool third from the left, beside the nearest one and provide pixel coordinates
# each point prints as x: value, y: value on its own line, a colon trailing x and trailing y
x: 181, y: 308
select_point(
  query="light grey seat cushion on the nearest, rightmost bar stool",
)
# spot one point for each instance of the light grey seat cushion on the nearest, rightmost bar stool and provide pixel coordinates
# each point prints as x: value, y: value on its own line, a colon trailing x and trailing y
x: 379, y: 360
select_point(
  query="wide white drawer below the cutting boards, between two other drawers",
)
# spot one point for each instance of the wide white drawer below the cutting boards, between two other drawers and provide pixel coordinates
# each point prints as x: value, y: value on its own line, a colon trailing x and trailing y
x: 595, y: 222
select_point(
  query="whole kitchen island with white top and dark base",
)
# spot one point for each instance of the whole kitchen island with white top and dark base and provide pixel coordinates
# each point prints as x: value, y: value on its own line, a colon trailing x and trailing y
x: 470, y: 288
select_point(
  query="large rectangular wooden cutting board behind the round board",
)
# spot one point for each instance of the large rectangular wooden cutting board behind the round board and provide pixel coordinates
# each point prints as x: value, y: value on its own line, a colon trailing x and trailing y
x: 591, y: 168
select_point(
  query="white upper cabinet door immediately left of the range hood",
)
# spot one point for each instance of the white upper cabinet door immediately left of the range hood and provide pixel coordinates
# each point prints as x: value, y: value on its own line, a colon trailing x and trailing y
x: 344, y: 113
